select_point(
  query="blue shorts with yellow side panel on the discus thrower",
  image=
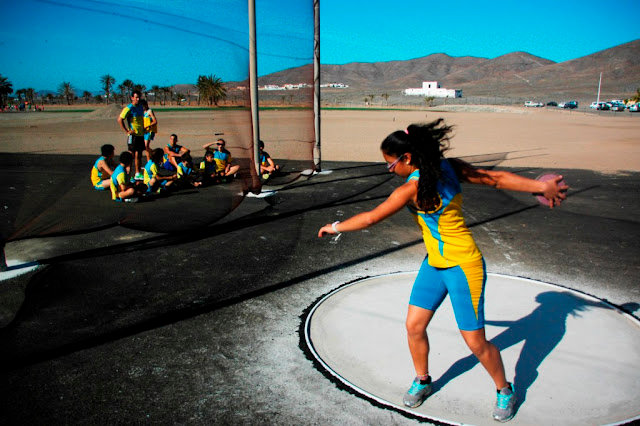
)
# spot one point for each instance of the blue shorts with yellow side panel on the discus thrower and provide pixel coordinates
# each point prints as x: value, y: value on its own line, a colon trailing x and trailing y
x: 465, y: 286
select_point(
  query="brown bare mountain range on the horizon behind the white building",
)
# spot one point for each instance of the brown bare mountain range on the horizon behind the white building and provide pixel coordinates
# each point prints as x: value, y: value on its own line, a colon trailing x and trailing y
x: 517, y: 74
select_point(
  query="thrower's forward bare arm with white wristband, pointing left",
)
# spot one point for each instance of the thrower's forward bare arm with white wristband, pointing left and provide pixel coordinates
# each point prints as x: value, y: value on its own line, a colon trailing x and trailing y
x: 397, y: 200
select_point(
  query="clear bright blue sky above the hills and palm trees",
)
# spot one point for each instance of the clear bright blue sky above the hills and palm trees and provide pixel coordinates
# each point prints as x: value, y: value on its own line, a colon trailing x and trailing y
x: 46, y: 42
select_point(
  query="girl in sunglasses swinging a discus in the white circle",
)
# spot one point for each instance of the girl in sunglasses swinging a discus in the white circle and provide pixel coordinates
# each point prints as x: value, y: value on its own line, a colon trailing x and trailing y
x: 454, y: 265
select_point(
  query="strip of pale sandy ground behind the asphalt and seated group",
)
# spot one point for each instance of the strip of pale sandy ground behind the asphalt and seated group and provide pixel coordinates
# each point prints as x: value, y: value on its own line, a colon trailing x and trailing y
x: 523, y: 137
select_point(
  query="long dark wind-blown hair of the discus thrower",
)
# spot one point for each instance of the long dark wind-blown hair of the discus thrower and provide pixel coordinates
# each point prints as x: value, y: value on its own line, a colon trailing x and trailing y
x: 427, y: 143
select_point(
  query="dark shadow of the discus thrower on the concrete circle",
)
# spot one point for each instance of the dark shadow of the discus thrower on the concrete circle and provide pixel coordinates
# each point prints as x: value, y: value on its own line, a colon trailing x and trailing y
x: 541, y: 332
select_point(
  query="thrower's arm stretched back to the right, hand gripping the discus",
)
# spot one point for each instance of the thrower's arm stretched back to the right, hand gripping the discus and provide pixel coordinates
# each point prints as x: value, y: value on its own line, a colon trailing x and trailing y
x: 552, y: 190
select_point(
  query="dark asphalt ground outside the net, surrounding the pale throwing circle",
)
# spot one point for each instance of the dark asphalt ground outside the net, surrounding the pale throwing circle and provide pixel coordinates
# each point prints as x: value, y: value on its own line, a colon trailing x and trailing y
x: 203, y: 326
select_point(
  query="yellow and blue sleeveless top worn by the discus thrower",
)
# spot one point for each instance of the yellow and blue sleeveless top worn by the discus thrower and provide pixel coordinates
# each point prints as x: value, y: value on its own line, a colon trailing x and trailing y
x: 448, y: 240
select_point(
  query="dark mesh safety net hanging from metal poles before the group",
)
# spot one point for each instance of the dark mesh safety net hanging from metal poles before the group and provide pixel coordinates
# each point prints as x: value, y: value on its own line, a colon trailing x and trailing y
x: 170, y: 52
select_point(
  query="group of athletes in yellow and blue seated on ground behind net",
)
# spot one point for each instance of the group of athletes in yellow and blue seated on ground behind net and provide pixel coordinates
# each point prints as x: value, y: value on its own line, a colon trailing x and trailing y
x: 168, y: 168
